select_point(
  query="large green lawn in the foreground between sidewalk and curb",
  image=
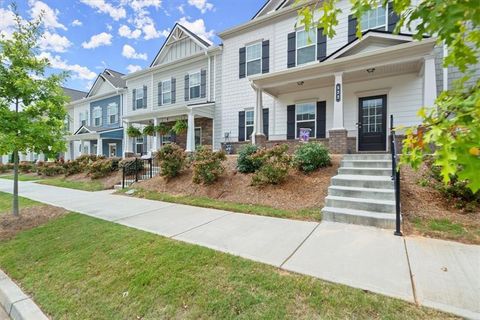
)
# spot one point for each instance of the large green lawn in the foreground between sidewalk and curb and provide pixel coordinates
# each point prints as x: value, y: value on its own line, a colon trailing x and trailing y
x: 78, y: 267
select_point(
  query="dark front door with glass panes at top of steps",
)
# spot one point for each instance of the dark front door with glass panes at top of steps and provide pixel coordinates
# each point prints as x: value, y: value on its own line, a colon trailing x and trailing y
x: 372, y: 120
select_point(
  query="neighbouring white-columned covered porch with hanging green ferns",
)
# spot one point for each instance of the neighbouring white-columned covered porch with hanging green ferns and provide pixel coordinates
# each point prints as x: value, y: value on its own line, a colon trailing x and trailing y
x: 198, y: 117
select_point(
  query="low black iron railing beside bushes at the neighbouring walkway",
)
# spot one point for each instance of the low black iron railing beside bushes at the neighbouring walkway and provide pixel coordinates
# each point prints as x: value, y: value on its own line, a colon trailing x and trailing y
x: 139, y: 169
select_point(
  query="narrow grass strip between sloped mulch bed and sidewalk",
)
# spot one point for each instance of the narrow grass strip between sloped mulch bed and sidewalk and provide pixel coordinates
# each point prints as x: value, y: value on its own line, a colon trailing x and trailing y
x: 304, y: 214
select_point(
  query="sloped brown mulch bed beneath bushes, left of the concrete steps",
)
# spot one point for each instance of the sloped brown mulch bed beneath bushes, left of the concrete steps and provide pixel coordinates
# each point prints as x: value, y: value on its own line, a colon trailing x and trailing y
x: 300, y: 191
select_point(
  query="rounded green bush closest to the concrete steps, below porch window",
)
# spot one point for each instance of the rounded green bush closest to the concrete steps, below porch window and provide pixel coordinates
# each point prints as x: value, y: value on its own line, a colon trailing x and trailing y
x: 311, y: 156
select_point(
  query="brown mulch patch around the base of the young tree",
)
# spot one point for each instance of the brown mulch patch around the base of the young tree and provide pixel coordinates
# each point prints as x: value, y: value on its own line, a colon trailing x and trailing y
x: 29, y: 218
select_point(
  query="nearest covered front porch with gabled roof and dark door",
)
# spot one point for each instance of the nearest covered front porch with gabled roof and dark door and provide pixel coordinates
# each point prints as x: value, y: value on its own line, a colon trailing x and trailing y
x: 346, y: 99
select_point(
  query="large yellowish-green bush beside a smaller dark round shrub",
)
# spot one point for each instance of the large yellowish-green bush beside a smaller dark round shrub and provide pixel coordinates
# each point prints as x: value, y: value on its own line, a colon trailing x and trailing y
x: 275, y: 165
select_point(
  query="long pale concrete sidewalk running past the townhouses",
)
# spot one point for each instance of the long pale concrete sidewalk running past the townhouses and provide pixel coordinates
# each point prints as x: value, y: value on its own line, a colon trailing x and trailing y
x: 435, y: 273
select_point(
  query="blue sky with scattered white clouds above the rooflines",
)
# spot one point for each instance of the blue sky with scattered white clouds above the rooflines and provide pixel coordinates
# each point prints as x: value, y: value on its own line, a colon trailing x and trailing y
x: 87, y: 36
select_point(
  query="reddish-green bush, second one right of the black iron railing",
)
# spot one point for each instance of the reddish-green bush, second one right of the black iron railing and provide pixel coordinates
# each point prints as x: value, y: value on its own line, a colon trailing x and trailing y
x: 207, y: 165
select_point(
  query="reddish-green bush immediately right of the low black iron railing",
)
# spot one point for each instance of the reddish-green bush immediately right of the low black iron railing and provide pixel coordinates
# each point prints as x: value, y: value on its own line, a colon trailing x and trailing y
x: 172, y: 160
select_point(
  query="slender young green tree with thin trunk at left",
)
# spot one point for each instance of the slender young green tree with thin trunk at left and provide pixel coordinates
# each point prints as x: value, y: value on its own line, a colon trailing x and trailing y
x: 32, y: 105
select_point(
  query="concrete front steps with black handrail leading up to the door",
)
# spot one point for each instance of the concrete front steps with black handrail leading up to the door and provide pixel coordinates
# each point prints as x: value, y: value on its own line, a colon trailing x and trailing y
x: 362, y: 192
